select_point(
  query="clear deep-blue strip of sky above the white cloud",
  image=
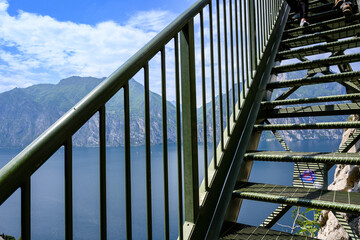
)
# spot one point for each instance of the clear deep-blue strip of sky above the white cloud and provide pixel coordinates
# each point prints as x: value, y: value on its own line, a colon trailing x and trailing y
x: 94, y: 11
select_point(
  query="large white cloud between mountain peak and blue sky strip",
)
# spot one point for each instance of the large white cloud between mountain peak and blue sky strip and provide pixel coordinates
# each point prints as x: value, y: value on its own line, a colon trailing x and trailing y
x: 35, y: 48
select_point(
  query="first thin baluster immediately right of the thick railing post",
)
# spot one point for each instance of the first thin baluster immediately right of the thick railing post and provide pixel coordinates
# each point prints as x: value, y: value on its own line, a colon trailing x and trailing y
x: 204, y: 98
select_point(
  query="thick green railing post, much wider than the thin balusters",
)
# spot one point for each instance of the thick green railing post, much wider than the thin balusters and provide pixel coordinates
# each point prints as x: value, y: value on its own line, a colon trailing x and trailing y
x: 188, y: 87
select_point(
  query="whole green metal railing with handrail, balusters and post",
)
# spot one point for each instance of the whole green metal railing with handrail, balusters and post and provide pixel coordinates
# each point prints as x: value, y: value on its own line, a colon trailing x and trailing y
x: 246, y: 30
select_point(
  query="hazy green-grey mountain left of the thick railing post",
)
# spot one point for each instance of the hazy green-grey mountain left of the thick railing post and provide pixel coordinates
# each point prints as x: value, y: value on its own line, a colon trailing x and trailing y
x: 26, y: 113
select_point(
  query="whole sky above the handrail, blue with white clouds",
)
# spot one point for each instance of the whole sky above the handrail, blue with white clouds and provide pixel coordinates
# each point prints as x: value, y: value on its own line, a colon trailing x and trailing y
x: 43, y: 41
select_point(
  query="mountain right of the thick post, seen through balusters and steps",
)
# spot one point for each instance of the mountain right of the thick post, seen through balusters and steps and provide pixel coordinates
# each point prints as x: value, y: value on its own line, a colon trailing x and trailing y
x: 292, y: 135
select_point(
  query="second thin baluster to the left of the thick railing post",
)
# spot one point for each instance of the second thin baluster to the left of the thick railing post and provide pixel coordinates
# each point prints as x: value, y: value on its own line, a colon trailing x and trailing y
x: 165, y: 147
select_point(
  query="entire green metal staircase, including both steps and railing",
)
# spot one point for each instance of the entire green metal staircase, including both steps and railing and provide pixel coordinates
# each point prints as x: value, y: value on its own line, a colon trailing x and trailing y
x: 237, y: 58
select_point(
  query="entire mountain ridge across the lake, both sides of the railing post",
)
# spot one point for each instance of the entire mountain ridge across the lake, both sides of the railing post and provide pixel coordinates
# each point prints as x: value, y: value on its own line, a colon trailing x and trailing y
x: 25, y: 113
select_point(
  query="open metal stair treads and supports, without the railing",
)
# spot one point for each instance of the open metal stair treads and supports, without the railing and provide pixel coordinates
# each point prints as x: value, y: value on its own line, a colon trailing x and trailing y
x: 329, y: 32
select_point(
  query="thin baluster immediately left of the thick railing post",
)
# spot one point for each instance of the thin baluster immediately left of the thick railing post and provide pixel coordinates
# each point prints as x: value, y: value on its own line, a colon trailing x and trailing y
x: 178, y: 137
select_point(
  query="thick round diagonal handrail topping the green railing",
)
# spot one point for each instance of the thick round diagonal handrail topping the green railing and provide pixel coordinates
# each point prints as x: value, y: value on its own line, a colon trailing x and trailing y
x: 33, y: 156
